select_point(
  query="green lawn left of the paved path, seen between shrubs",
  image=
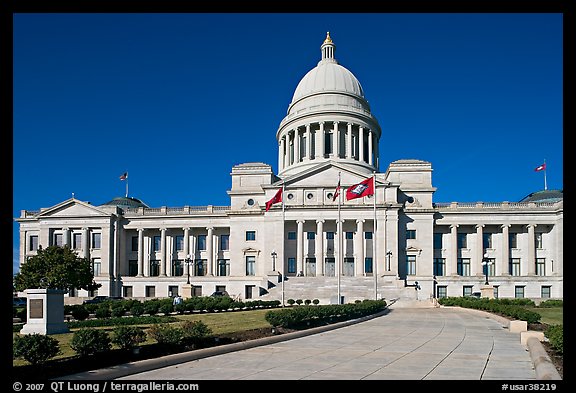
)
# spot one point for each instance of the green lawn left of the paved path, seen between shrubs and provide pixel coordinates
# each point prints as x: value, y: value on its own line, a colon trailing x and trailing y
x: 219, y: 322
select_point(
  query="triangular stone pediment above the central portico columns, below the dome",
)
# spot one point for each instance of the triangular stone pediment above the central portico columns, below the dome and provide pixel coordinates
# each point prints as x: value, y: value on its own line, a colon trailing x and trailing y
x: 325, y: 175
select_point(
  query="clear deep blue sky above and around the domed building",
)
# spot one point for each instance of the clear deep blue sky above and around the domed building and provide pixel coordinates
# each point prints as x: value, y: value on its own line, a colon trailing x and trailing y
x: 176, y: 100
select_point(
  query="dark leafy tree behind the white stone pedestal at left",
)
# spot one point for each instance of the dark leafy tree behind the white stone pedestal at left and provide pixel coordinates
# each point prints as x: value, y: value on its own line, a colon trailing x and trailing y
x: 55, y: 268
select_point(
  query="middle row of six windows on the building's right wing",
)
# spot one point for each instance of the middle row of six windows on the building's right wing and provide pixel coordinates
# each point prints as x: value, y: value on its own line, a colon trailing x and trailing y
x: 463, y: 266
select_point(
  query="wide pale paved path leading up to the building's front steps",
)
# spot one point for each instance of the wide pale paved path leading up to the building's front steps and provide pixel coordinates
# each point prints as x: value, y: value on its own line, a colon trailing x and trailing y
x: 404, y: 344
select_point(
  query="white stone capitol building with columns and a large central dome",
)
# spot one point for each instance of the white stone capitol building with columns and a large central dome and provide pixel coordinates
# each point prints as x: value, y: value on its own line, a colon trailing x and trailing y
x: 291, y: 235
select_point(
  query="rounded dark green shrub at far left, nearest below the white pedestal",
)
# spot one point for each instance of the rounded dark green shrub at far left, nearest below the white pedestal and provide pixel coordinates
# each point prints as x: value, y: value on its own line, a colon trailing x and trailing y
x: 35, y: 348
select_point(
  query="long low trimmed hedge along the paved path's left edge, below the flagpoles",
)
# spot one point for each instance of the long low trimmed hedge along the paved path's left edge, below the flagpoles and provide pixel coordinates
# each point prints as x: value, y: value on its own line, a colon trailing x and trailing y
x: 306, y: 316
